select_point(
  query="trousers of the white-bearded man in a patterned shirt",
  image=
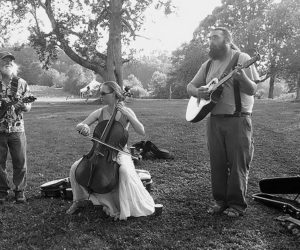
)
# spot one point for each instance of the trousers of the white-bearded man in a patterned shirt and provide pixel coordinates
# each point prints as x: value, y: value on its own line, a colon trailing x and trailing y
x: 16, y: 144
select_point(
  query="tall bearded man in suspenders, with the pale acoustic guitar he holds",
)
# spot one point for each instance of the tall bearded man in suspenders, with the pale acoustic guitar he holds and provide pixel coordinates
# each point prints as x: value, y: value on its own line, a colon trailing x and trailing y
x: 229, y: 126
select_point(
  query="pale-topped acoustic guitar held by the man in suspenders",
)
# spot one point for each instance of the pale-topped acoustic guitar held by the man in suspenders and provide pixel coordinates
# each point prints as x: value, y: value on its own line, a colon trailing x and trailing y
x: 198, y: 108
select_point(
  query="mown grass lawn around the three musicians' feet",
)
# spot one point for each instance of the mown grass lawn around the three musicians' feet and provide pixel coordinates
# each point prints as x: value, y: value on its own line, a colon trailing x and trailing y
x: 182, y: 185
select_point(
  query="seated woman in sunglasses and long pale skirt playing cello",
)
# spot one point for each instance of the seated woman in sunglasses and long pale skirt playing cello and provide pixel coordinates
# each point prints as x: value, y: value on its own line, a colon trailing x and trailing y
x: 129, y: 198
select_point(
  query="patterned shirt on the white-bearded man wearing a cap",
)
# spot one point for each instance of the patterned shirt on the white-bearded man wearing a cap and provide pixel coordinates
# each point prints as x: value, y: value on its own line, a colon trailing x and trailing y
x: 12, y: 121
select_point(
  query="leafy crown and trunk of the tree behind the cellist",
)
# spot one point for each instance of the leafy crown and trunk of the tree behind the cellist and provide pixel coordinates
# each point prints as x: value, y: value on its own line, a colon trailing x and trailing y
x: 80, y: 28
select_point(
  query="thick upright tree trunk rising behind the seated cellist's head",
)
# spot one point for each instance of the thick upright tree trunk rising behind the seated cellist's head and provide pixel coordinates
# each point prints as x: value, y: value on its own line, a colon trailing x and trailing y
x: 114, y: 47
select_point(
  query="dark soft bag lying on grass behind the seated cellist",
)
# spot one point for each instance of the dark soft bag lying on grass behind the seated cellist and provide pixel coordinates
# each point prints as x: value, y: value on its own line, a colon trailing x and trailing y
x: 148, y: 150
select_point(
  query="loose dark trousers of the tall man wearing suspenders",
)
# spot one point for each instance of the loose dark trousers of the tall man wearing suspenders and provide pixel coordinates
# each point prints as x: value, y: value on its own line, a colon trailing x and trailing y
x: 230, y: 145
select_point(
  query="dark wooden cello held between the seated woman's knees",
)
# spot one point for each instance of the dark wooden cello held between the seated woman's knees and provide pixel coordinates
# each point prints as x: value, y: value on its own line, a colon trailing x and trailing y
x: 97, y: 171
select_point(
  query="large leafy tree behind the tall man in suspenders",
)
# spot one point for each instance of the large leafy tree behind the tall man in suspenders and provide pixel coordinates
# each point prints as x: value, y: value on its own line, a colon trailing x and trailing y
x: 257, y: 25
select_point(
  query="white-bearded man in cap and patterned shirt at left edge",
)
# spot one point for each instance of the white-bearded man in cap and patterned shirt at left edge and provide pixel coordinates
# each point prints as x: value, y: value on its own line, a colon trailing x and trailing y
x: 13, y: 91
